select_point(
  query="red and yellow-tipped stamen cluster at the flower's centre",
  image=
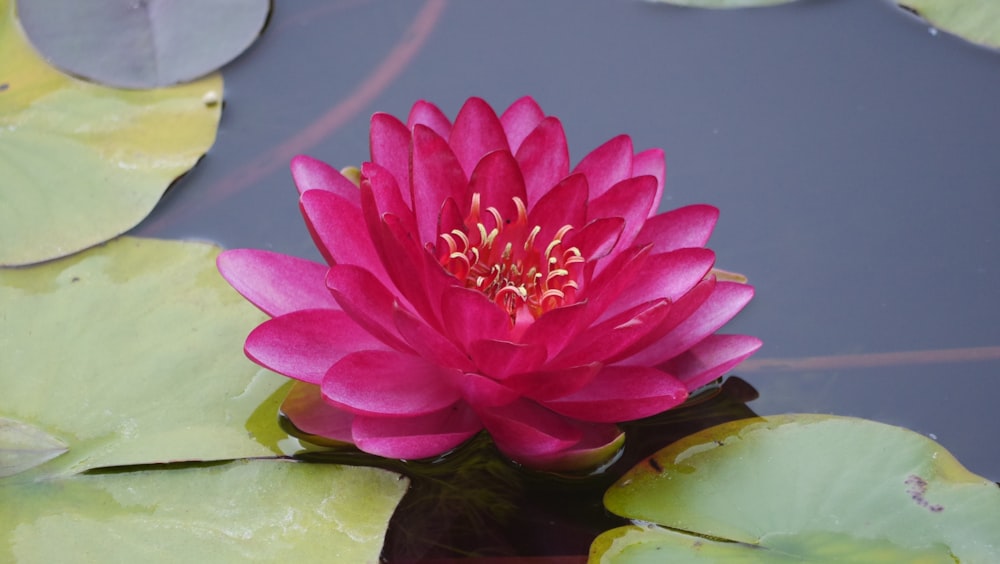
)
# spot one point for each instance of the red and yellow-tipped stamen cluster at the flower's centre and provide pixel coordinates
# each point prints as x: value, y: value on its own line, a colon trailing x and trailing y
x: 505, y: 261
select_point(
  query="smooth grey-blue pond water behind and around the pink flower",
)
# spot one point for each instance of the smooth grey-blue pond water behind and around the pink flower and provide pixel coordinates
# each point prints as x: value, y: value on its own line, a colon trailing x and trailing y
x: 852, y: 150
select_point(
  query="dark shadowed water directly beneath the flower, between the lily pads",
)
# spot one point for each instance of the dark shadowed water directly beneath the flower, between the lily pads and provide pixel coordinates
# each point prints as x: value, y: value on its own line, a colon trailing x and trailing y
x: 474, y: 503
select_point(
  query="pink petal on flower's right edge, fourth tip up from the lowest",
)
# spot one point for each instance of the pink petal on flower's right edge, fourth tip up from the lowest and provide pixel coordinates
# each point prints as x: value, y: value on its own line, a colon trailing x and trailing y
x: 665, y: 275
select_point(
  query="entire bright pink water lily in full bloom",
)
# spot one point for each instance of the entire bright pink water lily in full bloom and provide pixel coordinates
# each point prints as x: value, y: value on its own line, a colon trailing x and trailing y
x: 474, y: 280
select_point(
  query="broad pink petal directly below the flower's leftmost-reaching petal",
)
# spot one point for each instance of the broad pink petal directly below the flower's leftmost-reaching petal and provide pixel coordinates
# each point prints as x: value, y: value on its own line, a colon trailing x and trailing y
x: 304, y: 344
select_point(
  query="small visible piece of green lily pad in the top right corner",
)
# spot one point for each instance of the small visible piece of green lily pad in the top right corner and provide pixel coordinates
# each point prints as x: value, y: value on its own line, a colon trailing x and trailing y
x: 977, y: 21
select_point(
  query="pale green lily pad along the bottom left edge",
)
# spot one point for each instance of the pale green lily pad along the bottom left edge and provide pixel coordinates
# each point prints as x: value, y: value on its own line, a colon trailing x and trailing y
x: 242, y: 511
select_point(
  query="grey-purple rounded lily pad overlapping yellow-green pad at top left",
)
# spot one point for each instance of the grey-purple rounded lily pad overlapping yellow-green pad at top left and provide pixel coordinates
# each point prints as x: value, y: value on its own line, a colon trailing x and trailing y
x: 142, y: 44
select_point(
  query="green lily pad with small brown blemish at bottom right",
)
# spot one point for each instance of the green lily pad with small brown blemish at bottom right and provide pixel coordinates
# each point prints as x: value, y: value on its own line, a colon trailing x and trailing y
x: 797, y: 488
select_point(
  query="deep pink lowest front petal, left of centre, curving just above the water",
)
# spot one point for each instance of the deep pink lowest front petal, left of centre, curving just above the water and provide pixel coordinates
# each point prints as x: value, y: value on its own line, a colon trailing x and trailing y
x: 410, y: 438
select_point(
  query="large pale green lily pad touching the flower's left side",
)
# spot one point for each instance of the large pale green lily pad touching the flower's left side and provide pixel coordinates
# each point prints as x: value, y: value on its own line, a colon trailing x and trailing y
x: 131, y: 353
